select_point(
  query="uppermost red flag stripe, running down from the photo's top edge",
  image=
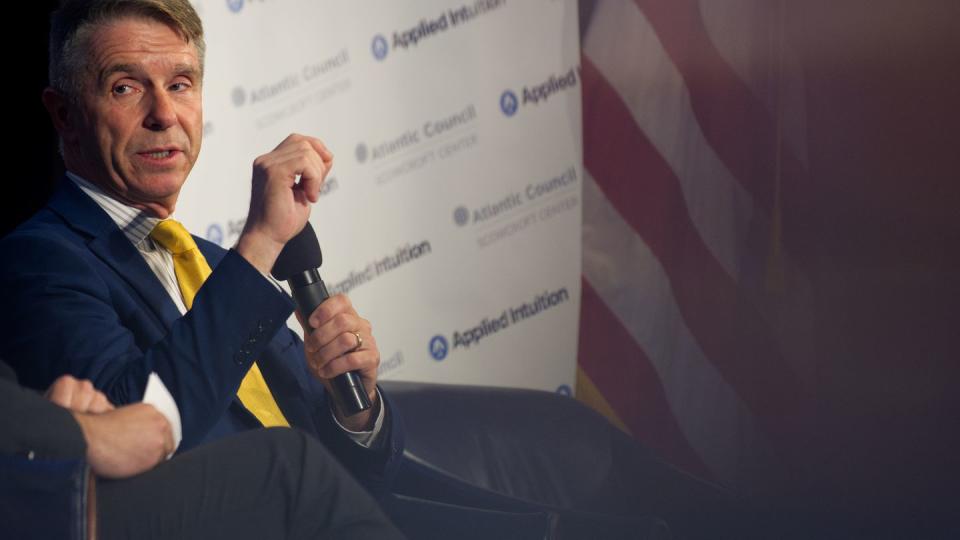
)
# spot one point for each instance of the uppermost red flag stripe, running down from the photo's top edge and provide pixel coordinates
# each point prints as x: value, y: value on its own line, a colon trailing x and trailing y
x: 733, y: 120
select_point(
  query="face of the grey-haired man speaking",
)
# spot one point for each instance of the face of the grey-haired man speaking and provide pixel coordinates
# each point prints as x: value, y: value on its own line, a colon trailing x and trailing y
x: 140, y: 121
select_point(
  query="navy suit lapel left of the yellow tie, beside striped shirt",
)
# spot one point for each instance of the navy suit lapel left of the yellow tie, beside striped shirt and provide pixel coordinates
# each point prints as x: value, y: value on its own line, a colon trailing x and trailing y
x: 111, y: 246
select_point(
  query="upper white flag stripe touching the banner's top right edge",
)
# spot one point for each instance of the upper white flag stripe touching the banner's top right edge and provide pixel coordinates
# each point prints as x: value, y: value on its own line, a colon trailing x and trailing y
x: 625, y: 49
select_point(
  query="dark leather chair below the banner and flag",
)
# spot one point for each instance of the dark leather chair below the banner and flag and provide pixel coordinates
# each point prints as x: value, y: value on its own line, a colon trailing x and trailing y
x: 545, y: 465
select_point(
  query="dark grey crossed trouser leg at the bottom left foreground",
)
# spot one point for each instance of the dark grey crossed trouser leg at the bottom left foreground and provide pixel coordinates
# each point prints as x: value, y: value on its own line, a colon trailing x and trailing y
x: 264, y: 484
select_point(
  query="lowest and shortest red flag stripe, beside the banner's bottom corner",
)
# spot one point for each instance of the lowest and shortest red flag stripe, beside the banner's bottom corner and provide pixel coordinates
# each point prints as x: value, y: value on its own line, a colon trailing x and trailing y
x: 619, y: 367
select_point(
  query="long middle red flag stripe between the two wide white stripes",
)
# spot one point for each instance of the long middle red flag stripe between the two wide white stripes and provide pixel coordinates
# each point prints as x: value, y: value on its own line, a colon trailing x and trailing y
x: 646, y: 193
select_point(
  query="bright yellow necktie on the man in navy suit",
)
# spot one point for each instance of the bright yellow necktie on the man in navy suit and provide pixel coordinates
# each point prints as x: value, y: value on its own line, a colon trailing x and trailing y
x: 192, y: 270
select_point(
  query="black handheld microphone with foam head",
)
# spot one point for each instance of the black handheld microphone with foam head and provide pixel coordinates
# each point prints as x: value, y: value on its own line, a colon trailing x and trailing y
x: 299, y: 265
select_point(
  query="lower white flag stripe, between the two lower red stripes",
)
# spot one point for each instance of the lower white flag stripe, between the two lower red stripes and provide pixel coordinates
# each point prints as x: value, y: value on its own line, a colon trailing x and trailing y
x: 633, y: 284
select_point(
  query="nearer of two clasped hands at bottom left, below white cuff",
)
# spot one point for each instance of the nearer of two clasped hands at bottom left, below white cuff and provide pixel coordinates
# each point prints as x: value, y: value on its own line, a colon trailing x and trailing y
x: 125, y: 441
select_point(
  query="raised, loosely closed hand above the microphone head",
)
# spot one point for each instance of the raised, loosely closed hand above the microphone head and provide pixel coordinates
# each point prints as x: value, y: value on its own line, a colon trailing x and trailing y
x: 279, y: 203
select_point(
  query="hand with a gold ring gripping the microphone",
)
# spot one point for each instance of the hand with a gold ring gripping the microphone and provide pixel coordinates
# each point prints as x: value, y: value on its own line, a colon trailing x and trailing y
x: 333, y: 348
